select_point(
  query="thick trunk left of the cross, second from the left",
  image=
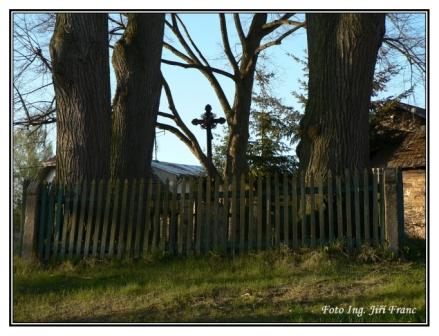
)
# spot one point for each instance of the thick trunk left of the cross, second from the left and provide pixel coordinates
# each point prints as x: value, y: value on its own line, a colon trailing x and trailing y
x: 136, y: 62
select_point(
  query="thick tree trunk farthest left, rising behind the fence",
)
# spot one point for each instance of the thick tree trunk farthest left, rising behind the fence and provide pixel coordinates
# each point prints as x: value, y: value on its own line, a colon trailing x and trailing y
x: 80, y: 67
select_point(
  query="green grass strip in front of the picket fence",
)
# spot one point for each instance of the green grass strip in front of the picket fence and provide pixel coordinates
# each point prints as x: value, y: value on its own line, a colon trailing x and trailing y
x: 278, y: 286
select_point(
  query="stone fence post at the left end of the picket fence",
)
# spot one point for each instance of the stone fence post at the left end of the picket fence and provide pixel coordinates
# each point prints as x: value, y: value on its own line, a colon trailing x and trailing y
x: 30, y: 221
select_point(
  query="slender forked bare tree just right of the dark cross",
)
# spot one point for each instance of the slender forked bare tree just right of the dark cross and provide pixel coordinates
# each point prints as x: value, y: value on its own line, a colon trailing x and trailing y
x: 243, y: 67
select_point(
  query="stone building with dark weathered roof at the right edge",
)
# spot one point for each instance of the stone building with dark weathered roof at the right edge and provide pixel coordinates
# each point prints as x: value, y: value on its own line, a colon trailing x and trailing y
x: 399, y: 140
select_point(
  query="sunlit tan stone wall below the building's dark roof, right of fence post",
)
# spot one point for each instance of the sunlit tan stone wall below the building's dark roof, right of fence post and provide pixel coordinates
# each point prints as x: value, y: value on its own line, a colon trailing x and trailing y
x: 414, y: 202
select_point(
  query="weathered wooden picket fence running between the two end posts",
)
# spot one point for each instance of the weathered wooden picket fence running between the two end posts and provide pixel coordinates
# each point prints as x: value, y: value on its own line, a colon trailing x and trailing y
x: 128, y: 219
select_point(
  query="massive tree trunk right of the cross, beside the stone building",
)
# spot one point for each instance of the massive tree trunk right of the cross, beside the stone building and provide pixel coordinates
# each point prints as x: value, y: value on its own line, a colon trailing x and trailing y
x: 342, y: 51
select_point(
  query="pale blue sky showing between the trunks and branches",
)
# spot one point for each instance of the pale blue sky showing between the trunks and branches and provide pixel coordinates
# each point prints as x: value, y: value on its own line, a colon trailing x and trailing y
x: 191, y: 90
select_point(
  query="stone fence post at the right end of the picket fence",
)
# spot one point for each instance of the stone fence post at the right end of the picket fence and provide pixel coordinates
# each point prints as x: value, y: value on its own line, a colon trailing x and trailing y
x: 392, y: 205
